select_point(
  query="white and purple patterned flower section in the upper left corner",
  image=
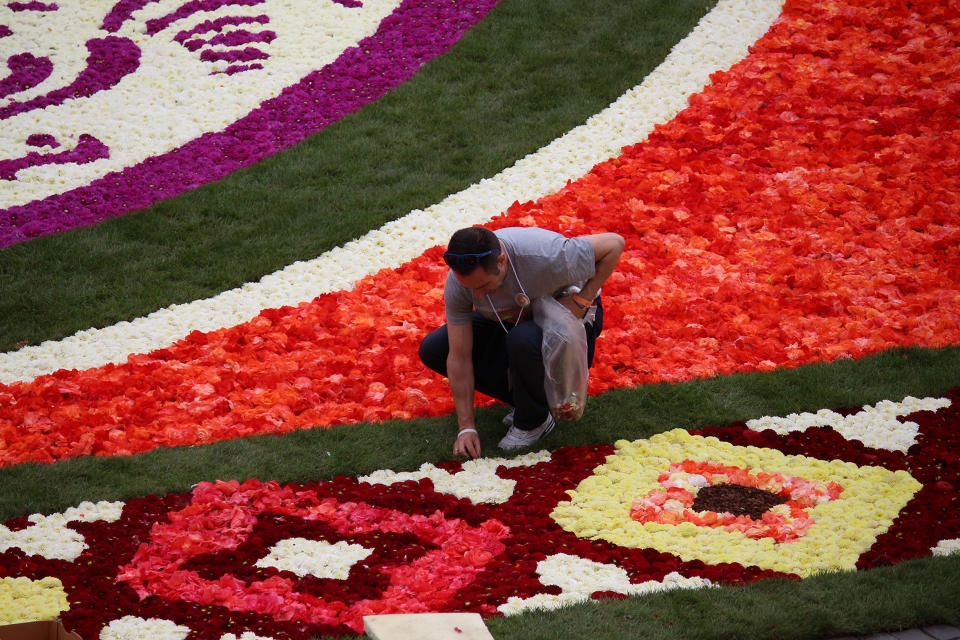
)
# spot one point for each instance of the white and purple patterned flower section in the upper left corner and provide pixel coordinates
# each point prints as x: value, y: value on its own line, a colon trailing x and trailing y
x: 277, y: 71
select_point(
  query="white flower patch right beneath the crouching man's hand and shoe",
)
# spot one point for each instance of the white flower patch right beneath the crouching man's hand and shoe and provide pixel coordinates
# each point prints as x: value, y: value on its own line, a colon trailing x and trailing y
x: 477, y: 482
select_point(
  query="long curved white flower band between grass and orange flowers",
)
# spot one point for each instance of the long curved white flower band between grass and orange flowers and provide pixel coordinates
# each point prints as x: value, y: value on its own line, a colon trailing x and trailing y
x: 720, y: 39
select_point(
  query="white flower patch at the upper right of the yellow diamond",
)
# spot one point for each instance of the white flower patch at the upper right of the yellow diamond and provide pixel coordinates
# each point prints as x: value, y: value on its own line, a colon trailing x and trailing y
x: 875, y: 426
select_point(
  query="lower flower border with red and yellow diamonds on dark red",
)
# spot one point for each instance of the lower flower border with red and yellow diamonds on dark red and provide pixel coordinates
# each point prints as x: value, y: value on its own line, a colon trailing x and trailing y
x: 500, y: 536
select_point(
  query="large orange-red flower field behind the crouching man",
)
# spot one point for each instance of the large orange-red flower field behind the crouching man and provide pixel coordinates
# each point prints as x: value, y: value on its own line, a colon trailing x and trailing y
x: 803, y: 208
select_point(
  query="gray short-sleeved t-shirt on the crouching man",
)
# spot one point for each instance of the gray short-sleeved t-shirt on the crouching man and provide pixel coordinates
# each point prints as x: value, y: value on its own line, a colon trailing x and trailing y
x: 540, y: 263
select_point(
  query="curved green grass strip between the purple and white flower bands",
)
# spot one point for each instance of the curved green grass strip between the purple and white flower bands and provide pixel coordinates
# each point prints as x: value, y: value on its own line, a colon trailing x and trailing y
x: 524, y: 76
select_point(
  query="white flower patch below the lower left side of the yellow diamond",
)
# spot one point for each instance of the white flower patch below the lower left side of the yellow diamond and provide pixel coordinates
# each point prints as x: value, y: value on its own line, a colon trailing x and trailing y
x: 579, y: 578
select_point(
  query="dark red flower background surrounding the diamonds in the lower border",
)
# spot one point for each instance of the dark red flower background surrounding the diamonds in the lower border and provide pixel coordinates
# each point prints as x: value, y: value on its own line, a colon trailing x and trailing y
x: 96, y: 597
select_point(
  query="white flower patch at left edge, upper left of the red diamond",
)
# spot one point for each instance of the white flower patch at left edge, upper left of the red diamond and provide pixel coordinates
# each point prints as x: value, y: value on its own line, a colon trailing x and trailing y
x: 50, y: 537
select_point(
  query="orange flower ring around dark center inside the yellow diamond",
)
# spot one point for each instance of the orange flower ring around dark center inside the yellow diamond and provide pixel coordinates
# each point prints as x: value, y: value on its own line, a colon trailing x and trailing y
x: 674, y: 502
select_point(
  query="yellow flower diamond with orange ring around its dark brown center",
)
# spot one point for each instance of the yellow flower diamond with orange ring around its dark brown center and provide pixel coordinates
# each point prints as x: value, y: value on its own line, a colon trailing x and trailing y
x: 850, y: 502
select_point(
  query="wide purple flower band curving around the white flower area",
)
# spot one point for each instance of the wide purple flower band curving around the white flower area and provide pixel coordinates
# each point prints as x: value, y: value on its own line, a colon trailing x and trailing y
x: 415, y: 32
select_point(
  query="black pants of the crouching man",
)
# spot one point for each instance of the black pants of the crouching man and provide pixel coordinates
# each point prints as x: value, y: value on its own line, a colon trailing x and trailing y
x: 507, y: 366
